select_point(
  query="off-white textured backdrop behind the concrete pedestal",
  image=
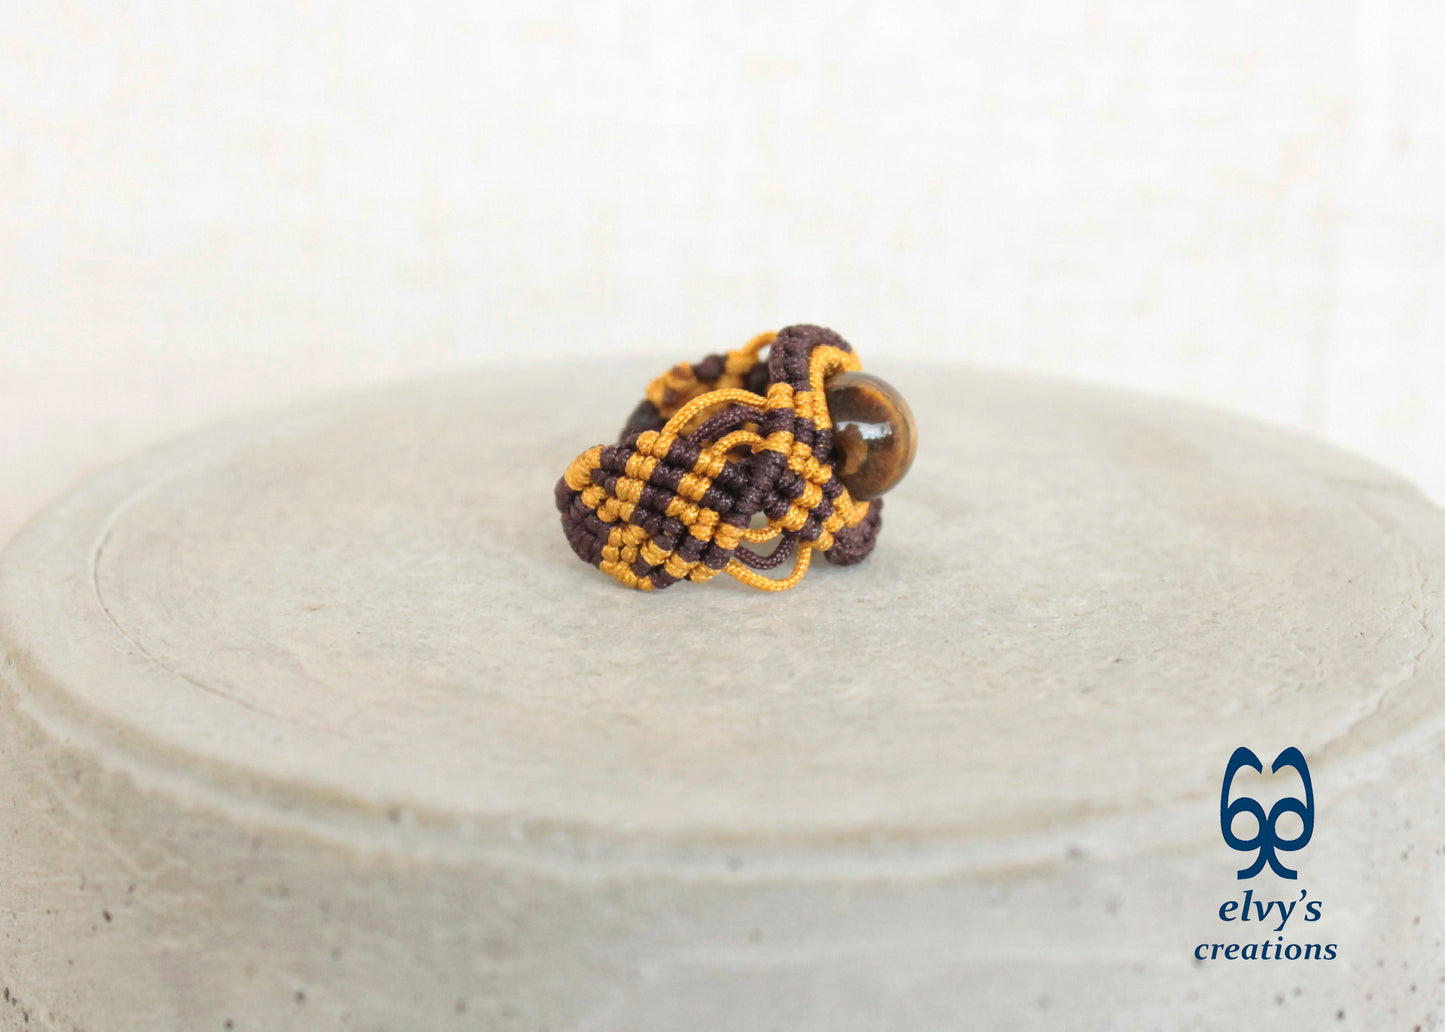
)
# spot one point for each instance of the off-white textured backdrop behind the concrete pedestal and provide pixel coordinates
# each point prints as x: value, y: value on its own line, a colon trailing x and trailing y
x: 207, y: 206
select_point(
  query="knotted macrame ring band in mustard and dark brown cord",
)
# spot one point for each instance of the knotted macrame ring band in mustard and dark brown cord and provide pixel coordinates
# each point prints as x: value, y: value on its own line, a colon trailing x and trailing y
x: 713, y: 446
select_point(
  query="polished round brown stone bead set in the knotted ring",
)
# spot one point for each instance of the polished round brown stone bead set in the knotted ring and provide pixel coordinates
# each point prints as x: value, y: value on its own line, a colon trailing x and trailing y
x: 874, y: 436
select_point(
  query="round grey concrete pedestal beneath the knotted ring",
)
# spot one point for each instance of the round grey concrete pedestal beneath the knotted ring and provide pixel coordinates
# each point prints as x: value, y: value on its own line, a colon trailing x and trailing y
x: 317, y: 716
